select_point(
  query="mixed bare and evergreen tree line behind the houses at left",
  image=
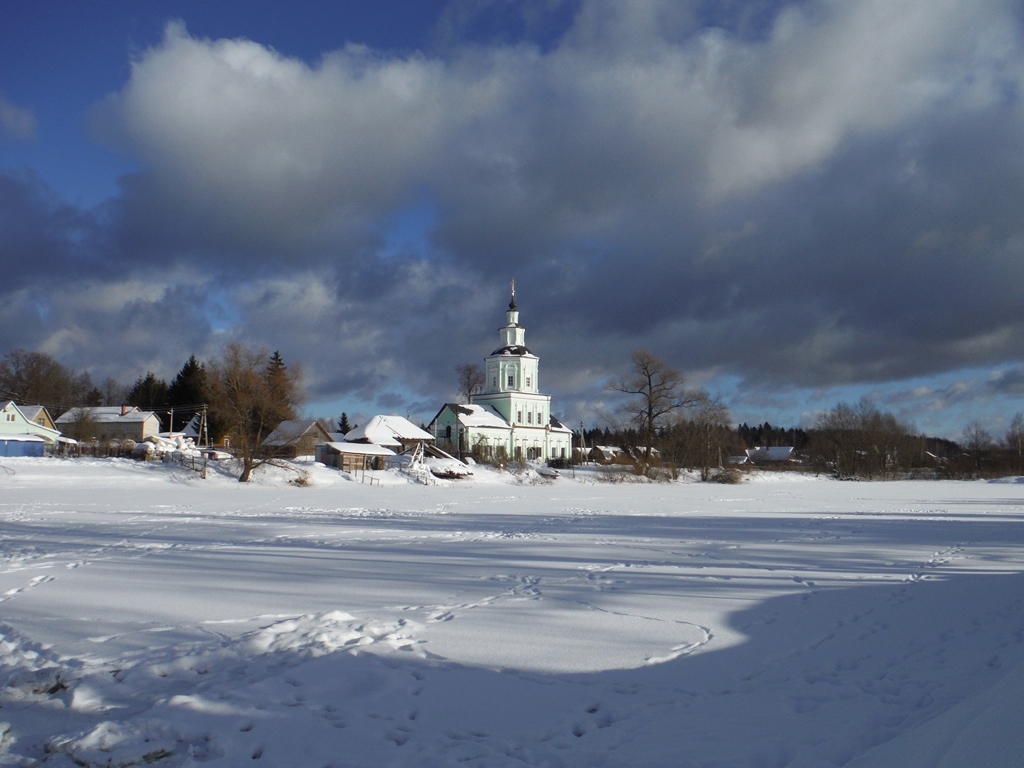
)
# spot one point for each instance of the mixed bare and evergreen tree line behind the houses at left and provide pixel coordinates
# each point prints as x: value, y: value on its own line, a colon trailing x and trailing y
x: 246, y: 394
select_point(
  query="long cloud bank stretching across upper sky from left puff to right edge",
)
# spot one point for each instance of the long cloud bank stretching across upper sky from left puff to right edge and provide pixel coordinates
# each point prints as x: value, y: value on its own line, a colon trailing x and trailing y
x: 273, y: 149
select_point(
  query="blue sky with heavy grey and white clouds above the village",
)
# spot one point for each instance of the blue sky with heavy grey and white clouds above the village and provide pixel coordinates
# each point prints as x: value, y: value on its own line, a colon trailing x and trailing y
x: 795, y: 204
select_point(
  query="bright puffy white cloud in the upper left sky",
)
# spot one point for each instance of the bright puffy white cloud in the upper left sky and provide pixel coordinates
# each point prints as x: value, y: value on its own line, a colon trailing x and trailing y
x: 254, y: 142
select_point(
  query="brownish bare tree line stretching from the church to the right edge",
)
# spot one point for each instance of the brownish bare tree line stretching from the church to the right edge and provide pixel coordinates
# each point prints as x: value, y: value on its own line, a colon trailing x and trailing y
x: 666, y: 424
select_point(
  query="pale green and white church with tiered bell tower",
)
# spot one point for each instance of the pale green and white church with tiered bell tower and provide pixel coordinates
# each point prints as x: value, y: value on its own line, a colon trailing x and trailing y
x: 510, y: 418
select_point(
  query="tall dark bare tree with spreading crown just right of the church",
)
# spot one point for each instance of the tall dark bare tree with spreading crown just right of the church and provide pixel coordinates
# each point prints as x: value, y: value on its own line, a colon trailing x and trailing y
x: 659, y: 392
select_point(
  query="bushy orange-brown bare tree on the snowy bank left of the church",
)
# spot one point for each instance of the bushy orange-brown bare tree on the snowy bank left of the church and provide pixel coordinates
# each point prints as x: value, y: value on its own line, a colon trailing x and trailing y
x: 250, y: 395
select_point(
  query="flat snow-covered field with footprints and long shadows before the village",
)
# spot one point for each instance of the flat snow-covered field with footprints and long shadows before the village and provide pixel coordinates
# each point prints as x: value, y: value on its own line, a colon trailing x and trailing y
x: 151, y: 617
